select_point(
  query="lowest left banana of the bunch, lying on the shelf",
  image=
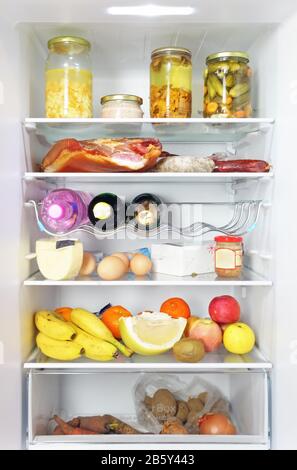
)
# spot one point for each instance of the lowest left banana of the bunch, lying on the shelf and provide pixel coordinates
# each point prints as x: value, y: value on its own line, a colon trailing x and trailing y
x: 61, y: 350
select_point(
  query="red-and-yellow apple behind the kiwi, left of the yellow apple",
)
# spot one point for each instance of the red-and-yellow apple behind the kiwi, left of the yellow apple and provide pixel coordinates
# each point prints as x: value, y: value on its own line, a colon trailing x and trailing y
x: 208, y: 332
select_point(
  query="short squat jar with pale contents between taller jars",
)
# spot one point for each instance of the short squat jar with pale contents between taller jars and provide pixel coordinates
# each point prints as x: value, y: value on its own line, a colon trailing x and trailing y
x: 121, y: 106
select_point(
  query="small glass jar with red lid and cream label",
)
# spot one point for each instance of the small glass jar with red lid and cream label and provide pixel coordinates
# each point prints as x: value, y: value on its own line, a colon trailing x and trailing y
x: 228, y: 256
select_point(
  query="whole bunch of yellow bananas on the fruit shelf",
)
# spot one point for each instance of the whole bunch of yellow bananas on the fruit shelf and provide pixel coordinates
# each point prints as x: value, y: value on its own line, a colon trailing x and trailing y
x: 84, y: 335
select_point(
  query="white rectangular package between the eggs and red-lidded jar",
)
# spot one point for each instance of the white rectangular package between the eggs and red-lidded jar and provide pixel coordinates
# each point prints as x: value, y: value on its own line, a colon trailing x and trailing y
x: 183, y: 260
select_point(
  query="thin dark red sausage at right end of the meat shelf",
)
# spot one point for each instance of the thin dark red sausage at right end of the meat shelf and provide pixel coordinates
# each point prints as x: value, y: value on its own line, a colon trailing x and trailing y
x: 241, y: 166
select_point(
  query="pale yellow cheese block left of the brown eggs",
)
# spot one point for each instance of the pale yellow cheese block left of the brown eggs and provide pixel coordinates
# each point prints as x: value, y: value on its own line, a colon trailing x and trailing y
x: 59, y: 259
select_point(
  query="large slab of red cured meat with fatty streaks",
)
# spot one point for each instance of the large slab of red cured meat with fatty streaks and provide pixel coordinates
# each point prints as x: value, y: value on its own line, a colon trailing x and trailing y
x: 102, y: 155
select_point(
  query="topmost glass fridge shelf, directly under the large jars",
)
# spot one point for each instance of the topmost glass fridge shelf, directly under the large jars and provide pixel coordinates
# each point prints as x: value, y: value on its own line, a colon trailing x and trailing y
x: 168, y: 130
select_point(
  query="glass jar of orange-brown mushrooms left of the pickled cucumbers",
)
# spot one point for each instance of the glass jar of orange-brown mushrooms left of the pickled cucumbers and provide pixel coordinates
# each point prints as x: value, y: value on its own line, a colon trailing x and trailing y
x: 171, y: 83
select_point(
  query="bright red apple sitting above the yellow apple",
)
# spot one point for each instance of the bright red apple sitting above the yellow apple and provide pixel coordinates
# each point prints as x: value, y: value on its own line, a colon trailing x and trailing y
x: 224, y: 309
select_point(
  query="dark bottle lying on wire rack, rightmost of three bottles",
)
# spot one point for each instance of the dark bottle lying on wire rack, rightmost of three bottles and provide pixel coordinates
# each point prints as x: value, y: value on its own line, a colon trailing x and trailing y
x: 145, y: 209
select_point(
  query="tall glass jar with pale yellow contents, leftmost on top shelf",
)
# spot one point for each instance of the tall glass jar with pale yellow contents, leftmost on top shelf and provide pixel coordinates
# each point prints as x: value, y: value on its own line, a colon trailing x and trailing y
x: 68, y: 78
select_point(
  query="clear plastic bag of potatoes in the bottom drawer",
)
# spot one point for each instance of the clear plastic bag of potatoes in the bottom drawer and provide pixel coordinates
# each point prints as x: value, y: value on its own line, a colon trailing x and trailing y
x: 168, y: 405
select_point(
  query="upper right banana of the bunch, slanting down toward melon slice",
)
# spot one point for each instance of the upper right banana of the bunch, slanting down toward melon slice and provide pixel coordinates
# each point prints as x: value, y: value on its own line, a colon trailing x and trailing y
x: 88, y: 322
